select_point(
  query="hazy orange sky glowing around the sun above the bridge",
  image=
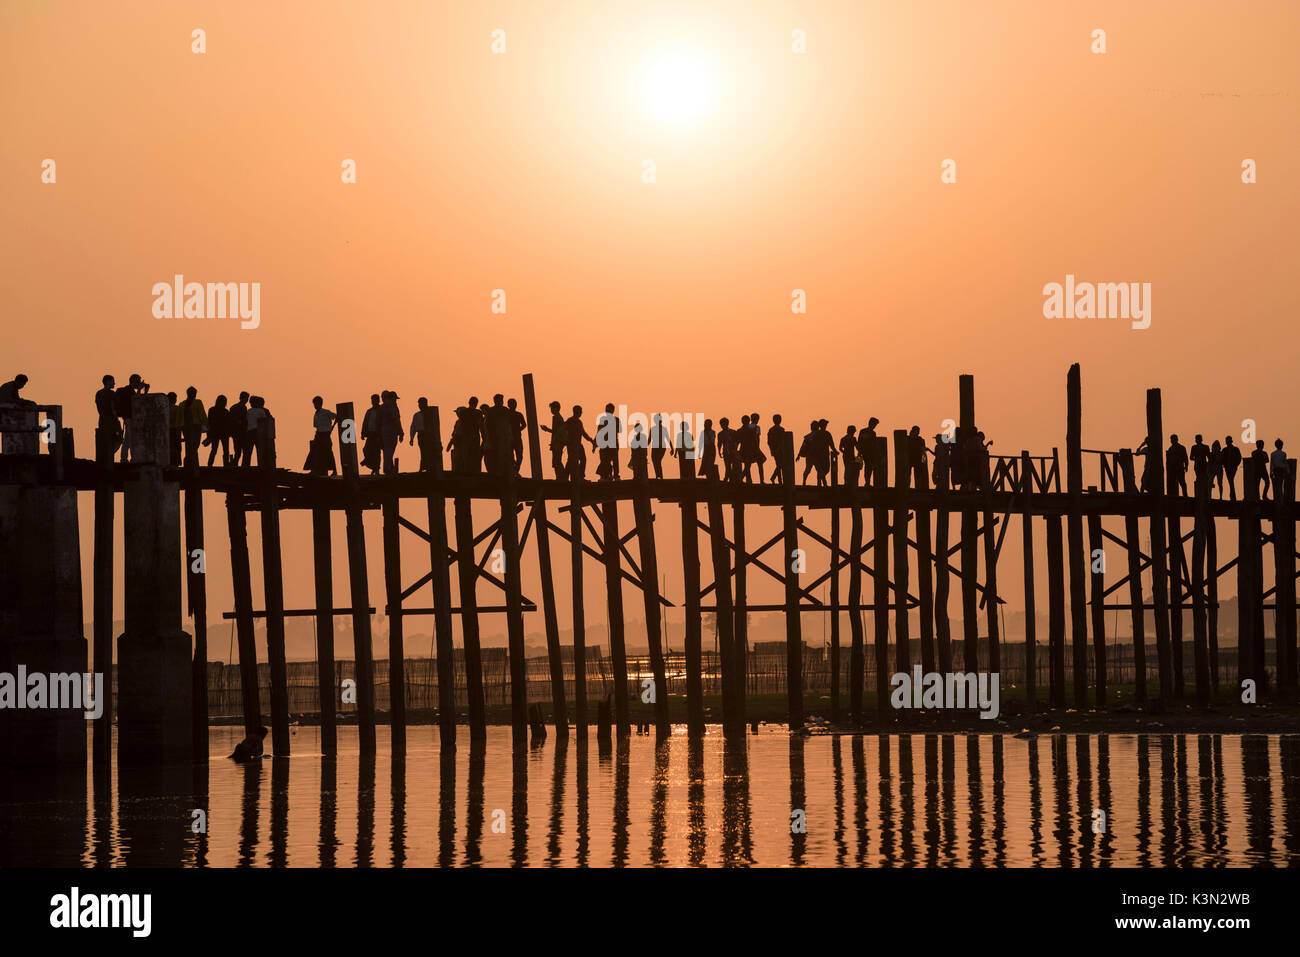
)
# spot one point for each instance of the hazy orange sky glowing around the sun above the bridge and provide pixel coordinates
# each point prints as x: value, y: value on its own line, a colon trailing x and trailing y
x: 523, y: 172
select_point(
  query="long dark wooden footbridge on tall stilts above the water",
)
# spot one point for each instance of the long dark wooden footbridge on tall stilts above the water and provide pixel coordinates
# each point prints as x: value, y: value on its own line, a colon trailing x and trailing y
x: 911, y: 558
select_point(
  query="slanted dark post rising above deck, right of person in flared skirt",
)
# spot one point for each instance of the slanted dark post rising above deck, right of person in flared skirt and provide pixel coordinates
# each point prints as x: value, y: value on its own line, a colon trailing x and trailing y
x: 349, y: 430
